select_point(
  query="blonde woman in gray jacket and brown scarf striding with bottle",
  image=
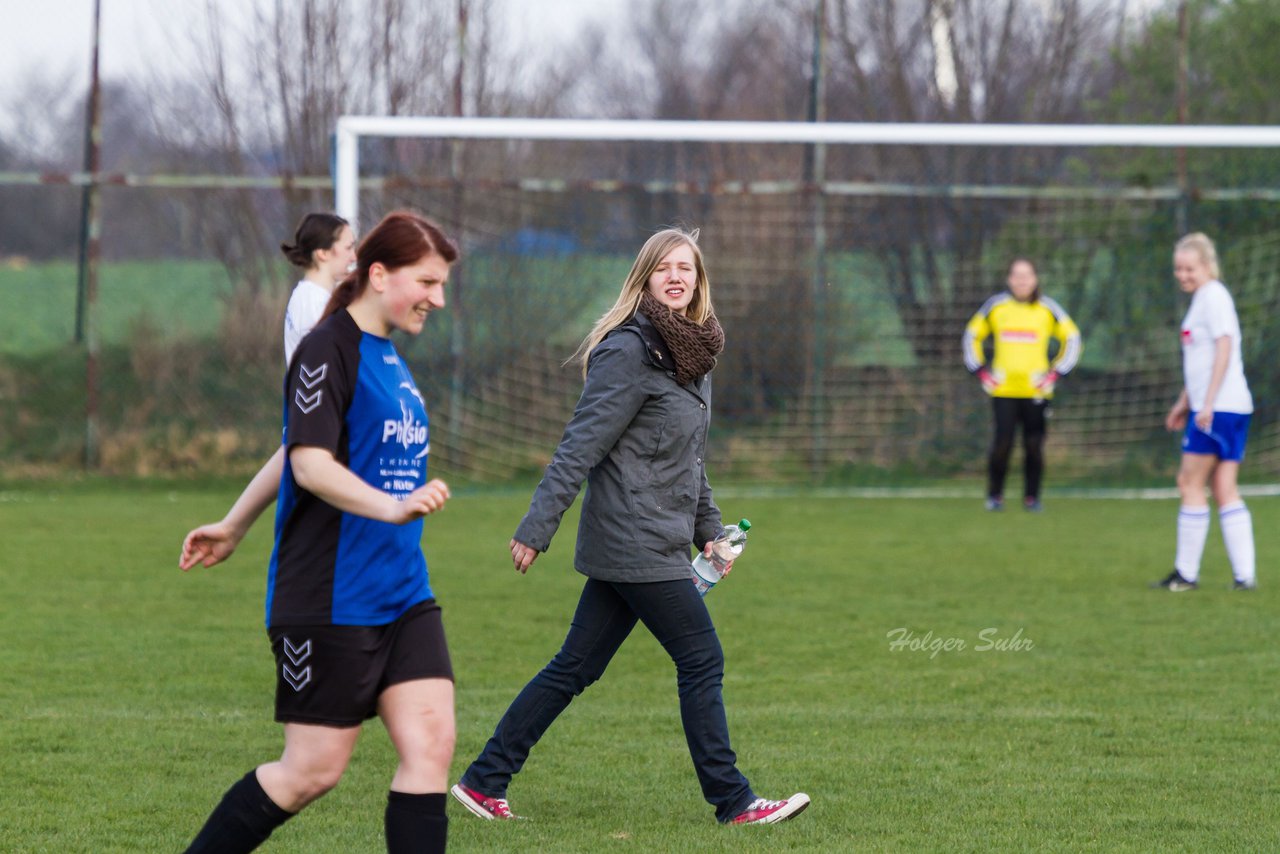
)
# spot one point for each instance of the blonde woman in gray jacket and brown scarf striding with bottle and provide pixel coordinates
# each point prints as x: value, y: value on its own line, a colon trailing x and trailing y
x: 639, y: 440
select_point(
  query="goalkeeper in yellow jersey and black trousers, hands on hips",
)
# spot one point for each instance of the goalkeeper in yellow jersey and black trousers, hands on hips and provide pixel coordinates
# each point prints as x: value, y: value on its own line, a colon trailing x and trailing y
x: 1021, y: 378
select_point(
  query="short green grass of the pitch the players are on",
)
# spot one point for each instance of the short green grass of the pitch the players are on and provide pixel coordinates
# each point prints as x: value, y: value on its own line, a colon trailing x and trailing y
x: 1123, y: 719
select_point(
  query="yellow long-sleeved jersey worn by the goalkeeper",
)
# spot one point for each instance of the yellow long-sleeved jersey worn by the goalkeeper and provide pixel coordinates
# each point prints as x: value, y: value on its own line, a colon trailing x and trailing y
x: 1022, y: 332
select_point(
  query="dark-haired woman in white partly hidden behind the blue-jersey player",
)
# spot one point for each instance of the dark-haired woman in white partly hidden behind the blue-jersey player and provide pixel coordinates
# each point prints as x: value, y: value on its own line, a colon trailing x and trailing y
x: 324, y: 246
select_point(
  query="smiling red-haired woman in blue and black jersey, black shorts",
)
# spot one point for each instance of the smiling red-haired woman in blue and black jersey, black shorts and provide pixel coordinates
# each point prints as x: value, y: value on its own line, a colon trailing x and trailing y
x: 350, y: 610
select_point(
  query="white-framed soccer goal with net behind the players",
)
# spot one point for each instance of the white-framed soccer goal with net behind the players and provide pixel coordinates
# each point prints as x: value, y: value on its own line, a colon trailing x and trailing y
x: 845, y: 261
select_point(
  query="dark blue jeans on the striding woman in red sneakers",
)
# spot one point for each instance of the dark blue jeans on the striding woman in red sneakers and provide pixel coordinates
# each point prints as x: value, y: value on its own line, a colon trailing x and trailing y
x: 606, y: 614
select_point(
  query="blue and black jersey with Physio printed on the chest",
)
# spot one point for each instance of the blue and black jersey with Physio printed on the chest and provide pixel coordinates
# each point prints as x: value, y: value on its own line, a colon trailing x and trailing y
x: 349, y: 392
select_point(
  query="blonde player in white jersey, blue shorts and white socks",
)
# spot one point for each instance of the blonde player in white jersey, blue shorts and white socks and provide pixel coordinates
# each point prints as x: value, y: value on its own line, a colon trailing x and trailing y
x: 1213, y: 413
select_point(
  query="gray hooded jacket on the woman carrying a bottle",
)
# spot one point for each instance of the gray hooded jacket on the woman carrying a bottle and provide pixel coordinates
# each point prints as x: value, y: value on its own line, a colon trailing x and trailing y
x: 641, y: 442
